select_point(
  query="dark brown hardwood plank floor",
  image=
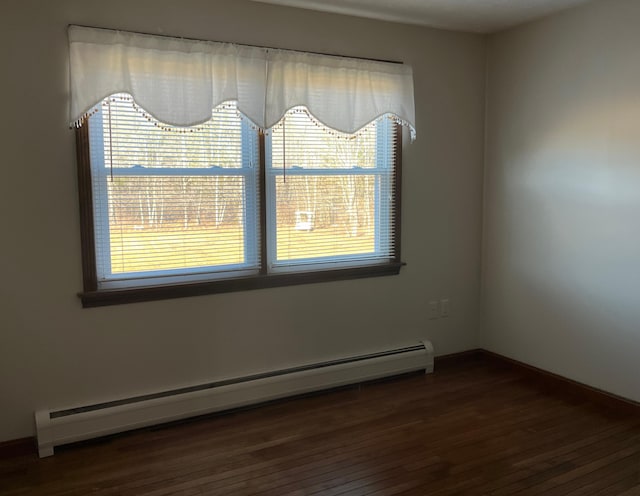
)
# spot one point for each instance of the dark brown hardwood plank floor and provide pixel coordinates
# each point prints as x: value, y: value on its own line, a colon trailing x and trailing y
x: 473, y: 427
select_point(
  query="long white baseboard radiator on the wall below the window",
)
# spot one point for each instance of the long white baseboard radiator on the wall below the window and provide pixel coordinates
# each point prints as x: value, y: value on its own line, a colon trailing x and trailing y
x: 64, y: 426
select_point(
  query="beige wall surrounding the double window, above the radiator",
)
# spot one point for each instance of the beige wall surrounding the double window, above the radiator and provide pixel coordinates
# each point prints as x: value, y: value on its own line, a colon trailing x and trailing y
x: 55, y: 354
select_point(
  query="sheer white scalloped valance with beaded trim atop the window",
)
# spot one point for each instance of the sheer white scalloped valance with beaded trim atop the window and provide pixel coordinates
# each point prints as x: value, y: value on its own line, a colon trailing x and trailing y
x: 180, y: 82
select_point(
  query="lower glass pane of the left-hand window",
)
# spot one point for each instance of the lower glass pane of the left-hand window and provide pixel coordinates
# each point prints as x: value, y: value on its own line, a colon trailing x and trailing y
x: 160, y: 223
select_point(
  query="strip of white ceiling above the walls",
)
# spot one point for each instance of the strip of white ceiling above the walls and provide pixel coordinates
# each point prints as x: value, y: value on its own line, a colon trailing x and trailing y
x: 481, y: 16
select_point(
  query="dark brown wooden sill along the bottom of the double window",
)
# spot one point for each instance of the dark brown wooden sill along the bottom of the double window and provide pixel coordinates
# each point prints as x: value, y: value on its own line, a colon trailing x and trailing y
x: 134, y: 295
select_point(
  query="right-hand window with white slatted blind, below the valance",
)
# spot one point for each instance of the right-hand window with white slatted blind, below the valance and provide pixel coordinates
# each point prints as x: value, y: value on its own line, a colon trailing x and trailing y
x: 331, y: 196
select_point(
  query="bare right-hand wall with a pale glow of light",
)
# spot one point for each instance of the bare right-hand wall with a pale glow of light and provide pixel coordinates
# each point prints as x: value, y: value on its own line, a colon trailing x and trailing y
x: 561, y: 264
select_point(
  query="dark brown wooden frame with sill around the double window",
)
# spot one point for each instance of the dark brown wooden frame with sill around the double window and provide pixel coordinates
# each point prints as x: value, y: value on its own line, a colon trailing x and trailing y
x: 92, y: 296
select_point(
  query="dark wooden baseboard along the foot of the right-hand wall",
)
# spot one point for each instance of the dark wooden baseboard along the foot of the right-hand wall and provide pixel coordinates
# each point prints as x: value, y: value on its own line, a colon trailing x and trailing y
x: 558, y: 384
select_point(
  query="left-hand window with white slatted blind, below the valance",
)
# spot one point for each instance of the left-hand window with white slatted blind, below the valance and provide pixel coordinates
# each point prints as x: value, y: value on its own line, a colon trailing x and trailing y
x: 172, y: 202
